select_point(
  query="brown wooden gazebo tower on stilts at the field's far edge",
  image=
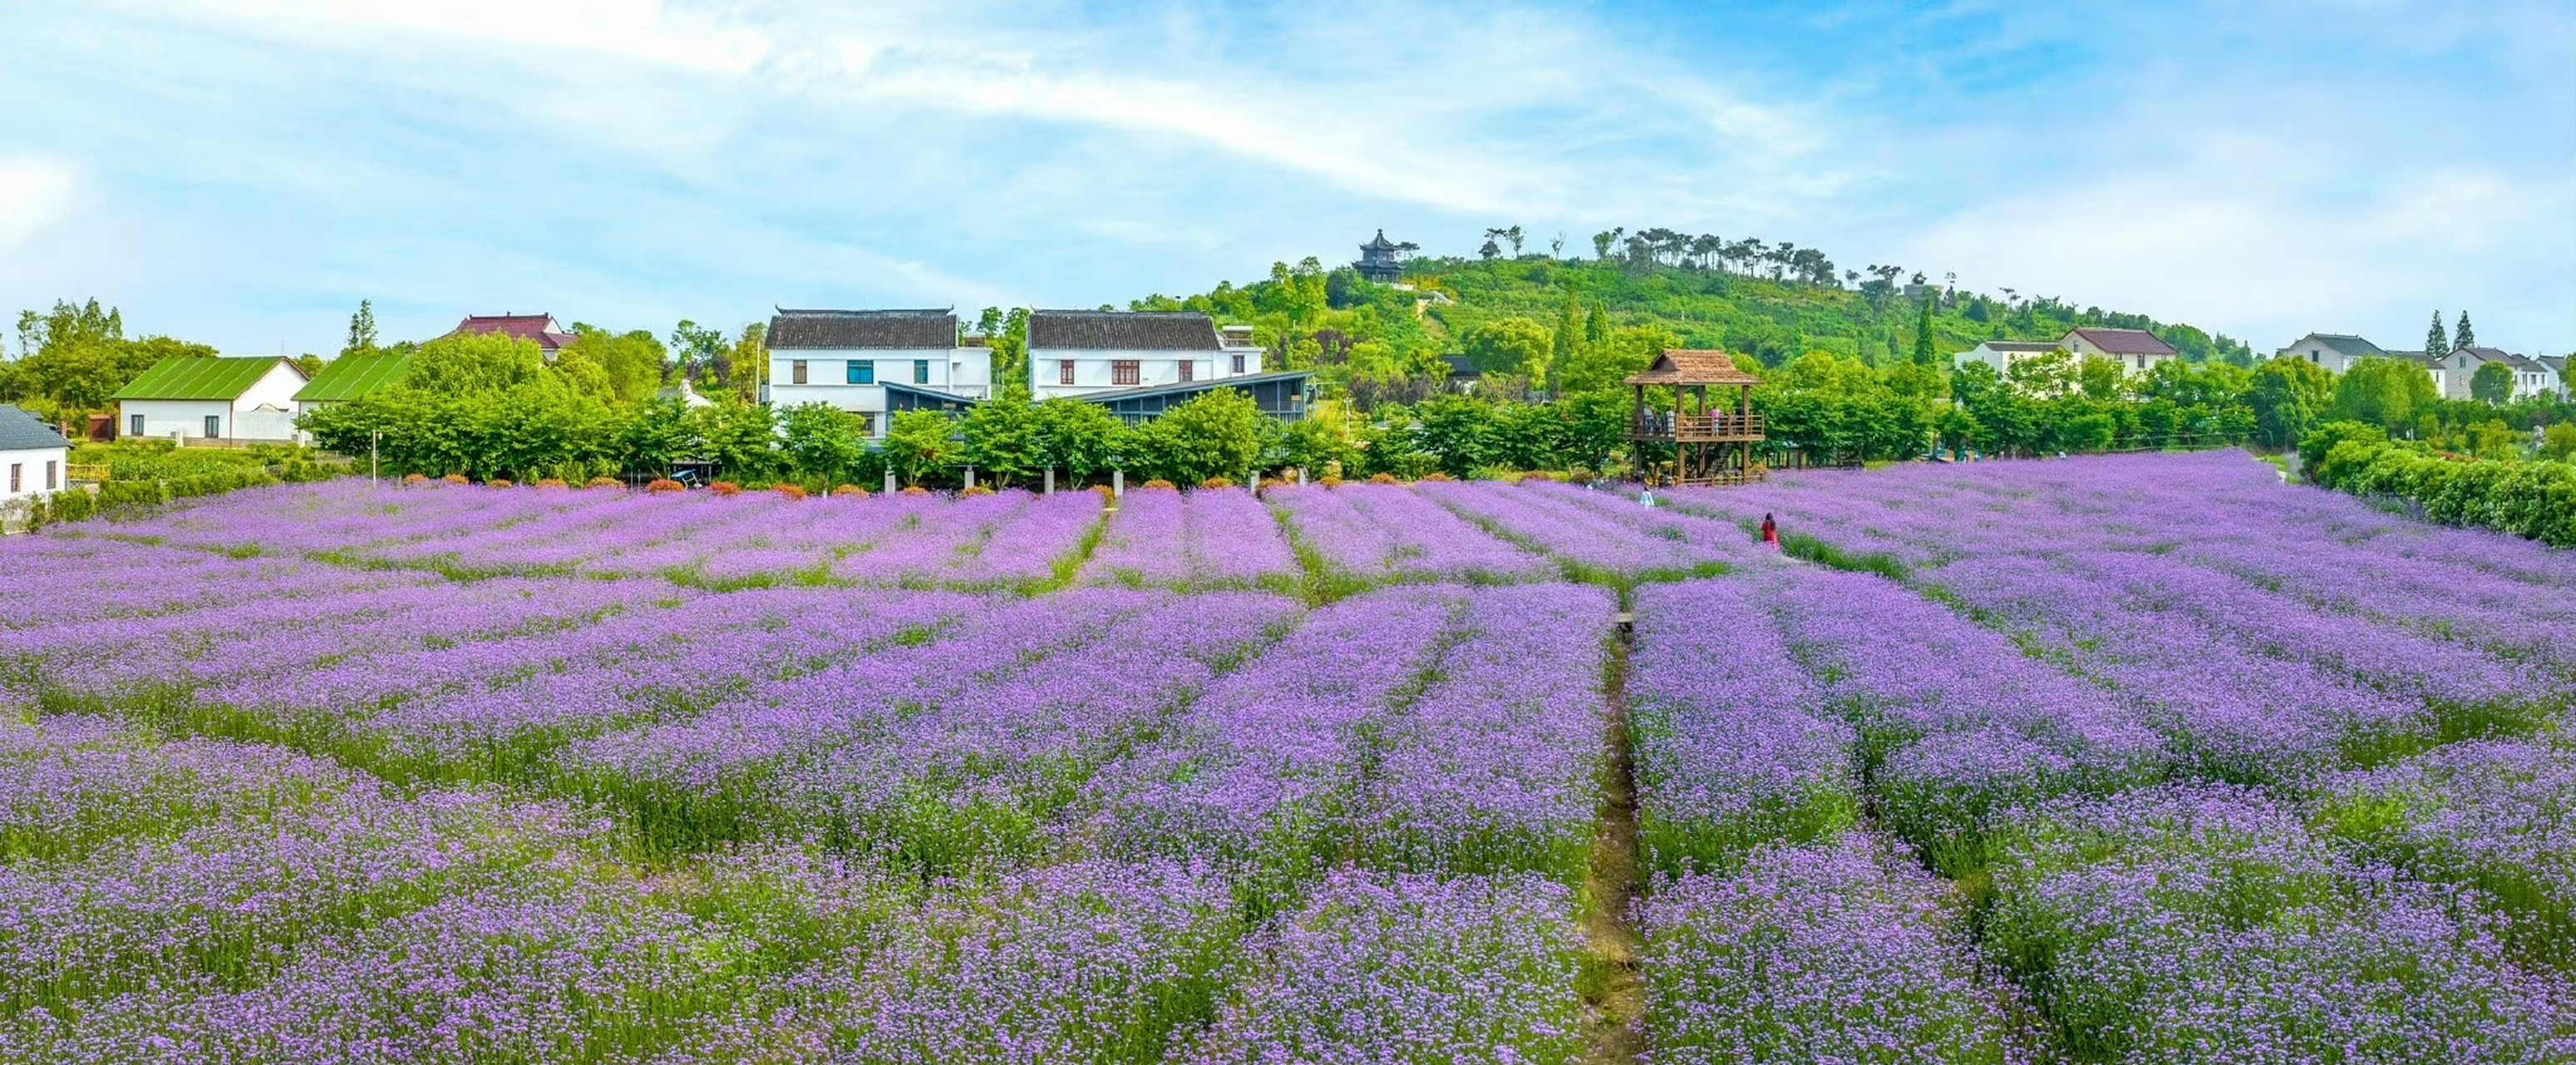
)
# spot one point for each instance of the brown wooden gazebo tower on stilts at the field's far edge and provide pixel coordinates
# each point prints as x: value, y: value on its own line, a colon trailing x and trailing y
x: 1712, y: 444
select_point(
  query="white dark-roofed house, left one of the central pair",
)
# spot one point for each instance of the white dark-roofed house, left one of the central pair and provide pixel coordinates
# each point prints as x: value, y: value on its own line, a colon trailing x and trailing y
x: 875, y: 361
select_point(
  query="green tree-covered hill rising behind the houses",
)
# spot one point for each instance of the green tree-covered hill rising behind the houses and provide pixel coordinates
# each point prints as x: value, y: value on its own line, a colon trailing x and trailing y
x: 1771, y: 305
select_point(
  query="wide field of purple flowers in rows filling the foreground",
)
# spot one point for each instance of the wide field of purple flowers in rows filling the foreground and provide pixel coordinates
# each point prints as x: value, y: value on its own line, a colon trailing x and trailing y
x: 2121, y: 760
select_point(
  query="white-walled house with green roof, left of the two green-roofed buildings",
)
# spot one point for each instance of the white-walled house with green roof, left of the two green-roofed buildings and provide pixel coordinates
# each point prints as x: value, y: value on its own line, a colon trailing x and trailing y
x: 213, y: 397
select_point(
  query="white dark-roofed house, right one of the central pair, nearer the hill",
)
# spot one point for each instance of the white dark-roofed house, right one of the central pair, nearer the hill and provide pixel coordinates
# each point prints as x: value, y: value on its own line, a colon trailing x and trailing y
x: 1083, y: 354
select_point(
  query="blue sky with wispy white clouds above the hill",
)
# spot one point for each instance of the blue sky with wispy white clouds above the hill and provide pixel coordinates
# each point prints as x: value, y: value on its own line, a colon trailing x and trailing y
x: 246, y: 171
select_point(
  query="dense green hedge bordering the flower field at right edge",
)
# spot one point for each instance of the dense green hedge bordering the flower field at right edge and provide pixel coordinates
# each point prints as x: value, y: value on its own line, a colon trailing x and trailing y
x: 2523, y: 498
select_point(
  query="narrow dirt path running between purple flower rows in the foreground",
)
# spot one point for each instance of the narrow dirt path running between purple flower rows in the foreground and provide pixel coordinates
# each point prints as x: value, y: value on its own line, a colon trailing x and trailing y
x: 1611, y: 981
